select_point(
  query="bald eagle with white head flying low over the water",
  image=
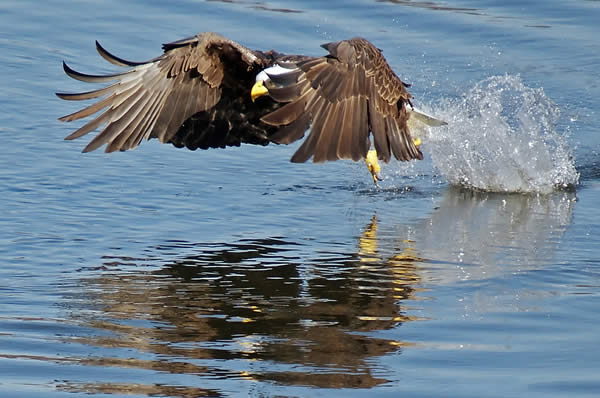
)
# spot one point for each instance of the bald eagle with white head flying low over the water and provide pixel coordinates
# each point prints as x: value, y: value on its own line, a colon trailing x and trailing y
x: 207, y: 91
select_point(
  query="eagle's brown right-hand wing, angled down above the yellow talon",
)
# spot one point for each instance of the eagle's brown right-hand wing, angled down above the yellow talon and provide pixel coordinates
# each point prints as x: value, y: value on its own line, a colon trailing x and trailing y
x: 343, y: 97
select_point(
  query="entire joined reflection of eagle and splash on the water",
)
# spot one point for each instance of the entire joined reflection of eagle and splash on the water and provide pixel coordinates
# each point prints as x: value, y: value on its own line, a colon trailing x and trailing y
x: 289, y: 312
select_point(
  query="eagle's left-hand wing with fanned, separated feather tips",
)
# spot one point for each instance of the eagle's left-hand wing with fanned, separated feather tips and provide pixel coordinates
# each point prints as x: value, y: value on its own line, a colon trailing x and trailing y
x: 154, y: 99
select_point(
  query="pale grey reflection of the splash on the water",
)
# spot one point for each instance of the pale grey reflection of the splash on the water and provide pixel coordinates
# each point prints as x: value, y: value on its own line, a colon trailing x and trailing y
x: 483, y: 235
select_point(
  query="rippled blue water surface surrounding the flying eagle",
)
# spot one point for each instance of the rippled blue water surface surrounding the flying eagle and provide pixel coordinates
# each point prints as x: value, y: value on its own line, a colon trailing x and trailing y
x: 163, y: 272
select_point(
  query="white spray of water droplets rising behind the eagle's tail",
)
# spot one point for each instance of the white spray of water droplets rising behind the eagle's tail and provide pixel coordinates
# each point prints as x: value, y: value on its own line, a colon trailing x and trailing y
x: 501, y: 137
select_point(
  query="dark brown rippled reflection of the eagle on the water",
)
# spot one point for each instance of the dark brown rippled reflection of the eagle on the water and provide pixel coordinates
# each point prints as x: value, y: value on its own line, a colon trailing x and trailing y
x: 253, y: 301
